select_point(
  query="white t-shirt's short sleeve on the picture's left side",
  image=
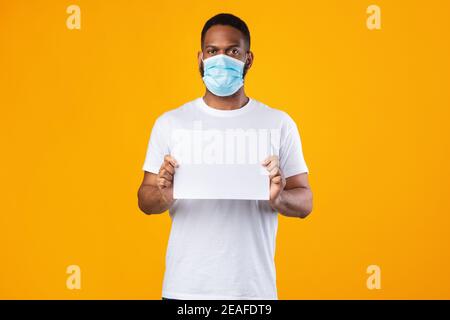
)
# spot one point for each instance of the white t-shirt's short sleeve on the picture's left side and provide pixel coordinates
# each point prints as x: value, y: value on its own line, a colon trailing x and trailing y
x: 158, y: 146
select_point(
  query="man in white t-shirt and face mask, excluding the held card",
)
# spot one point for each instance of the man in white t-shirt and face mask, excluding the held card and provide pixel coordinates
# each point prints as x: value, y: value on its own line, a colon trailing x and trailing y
x: 224, y: 249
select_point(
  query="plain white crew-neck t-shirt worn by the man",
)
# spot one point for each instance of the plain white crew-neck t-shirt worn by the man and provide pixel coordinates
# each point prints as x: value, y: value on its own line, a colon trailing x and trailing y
x: 223, y: 249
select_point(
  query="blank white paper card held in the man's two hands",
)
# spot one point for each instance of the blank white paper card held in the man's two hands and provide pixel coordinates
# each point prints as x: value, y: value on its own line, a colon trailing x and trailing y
x: 222, y: 164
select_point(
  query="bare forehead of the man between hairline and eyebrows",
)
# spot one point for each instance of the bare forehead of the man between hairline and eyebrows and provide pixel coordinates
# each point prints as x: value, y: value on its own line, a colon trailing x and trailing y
x: 220, y: 35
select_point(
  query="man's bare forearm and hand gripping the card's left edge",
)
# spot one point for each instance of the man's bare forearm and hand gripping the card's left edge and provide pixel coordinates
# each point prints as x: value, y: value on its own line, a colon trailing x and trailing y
x: 155, y: 195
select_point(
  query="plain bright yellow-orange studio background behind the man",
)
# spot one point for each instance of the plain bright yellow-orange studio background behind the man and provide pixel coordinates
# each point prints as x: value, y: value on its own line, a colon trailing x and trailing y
x: 77, y: 107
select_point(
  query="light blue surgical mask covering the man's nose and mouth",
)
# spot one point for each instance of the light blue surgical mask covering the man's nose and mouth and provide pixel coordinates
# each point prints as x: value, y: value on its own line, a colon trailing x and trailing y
x: 223, y: 75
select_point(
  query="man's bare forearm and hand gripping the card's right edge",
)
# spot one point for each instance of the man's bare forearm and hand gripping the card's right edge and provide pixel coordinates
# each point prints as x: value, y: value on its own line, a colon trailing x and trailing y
x: 292, y: 197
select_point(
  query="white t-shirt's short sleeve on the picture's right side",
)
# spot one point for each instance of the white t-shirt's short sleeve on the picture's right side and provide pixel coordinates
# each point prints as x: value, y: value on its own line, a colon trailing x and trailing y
x: 292, y: 161
